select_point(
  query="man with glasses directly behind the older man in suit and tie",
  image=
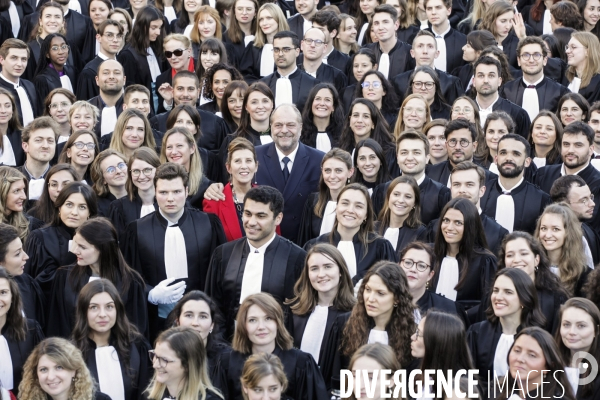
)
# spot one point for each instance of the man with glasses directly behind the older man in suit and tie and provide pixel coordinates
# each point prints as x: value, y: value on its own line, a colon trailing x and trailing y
x: 288, y: 83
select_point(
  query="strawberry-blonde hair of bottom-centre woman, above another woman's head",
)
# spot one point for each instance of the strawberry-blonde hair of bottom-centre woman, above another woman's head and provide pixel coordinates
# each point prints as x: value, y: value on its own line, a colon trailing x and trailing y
x: 270, y: 306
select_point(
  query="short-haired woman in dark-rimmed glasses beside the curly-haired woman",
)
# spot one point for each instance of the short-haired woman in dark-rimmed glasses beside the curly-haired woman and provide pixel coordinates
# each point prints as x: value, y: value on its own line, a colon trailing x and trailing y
x: 418, y: 261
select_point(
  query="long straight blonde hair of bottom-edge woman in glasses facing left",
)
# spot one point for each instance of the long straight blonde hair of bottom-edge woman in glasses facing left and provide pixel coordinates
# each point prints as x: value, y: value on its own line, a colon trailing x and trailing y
x: 189, y: 347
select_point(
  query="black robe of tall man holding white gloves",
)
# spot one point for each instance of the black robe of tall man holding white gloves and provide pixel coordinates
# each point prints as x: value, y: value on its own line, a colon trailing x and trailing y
x: 144, y: 250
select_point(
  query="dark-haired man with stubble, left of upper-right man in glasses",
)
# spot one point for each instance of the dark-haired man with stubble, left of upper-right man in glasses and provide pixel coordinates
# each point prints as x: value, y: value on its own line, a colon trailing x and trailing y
x: 486, y: 81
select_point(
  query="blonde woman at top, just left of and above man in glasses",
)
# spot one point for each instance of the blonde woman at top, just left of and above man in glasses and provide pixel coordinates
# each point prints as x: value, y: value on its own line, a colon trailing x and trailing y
x: 258, y: 59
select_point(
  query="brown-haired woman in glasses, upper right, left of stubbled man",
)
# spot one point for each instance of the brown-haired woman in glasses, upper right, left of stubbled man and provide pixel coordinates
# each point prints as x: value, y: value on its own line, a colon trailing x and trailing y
x: 425, y: 81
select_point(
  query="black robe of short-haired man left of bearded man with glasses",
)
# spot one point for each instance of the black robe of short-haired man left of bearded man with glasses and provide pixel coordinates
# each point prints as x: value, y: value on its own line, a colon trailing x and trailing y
x: 434, y: 197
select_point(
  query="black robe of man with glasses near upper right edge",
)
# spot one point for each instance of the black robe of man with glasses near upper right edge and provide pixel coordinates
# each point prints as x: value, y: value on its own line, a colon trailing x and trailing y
x: 549, y: 93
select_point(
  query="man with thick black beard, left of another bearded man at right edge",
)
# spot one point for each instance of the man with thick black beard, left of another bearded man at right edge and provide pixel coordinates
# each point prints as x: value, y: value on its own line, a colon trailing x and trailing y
x: 513, y: 202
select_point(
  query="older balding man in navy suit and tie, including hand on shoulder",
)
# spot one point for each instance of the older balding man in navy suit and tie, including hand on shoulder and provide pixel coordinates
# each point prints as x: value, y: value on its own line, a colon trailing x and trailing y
x: 287, y: 165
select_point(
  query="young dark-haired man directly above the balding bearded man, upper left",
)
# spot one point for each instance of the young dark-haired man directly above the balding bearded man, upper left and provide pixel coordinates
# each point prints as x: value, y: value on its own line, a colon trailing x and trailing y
x: 110, y: 37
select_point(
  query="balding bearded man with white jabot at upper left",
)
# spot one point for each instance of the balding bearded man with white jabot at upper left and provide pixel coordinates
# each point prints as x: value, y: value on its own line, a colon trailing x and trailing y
x: 110, y: 79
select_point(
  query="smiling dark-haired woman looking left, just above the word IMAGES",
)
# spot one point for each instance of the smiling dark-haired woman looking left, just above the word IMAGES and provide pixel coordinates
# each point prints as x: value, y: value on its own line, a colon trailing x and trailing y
x: 512, y: 305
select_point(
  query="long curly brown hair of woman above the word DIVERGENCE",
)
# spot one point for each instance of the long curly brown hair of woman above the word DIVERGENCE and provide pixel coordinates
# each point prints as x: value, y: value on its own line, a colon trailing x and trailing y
x: 401, y: 325
